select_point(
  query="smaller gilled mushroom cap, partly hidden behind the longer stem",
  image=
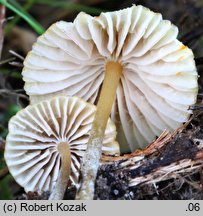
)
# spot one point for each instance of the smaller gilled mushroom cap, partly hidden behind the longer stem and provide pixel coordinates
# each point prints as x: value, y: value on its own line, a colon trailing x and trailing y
x: 31, y: 146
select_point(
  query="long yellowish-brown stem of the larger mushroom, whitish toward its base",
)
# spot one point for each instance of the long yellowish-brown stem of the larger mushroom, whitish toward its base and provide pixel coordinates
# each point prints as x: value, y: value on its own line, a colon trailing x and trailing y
x: 94, y: 148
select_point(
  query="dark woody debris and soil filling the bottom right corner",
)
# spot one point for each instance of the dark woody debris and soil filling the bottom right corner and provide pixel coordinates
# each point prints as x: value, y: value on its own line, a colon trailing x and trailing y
x: 177, y: 165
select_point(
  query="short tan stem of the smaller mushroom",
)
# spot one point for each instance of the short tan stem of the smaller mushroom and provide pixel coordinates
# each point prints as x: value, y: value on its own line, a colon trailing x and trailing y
x: 63, y: 178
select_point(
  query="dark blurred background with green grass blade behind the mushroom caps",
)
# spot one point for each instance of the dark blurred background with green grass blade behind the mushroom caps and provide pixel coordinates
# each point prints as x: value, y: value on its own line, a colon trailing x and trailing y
x: 17, y: 37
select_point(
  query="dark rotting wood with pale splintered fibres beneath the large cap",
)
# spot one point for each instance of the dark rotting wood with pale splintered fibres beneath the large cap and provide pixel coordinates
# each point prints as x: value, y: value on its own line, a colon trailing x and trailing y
x: 171, y: 157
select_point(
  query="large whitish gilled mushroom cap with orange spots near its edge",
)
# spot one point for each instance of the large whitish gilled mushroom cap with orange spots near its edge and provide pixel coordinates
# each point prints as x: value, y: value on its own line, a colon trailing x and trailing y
x: 159, y: 80
